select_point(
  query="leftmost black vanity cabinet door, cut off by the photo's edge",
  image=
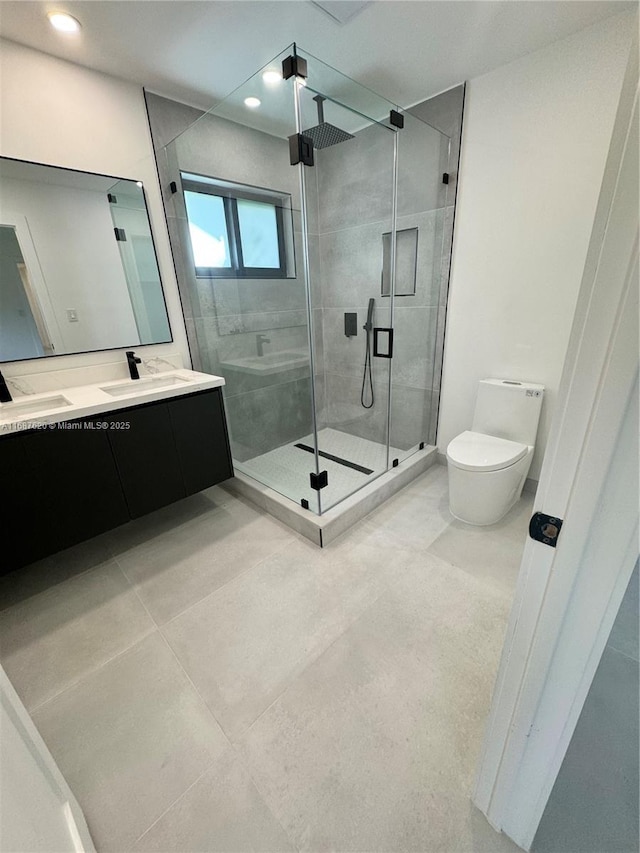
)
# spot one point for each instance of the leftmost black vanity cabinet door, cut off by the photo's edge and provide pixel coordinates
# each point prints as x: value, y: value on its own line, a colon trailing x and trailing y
x: 26, y: 530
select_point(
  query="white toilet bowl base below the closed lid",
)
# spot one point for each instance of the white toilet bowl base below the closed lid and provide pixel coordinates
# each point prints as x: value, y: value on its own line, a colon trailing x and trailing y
x: 485, y: 497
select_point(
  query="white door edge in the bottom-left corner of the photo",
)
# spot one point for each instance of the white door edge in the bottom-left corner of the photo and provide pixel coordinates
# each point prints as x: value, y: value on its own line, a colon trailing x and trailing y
x: 38, y: 812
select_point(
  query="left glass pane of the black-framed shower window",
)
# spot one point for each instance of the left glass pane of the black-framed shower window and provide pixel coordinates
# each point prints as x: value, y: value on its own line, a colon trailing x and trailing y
x: 208, y: 230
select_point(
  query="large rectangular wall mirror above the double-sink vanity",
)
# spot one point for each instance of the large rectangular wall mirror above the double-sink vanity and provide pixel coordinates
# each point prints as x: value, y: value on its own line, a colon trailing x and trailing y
x: 78, y: 268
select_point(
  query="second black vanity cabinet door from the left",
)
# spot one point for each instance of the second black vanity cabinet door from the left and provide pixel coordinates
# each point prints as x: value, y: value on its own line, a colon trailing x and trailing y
x: 77, y: 484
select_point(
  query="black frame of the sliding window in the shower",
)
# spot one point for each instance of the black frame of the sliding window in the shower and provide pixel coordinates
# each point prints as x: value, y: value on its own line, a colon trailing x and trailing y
x: 230, y: 195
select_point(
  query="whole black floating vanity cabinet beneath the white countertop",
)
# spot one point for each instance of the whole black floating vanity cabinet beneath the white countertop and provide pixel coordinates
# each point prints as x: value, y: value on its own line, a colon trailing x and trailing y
x: 63, y: 484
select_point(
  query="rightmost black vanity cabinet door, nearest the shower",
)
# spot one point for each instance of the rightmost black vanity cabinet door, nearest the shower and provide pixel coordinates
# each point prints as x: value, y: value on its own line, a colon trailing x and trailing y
x: 201, y: 439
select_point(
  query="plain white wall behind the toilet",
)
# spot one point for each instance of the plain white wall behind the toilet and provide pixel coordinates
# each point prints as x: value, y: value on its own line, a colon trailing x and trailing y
x: 535, y: 140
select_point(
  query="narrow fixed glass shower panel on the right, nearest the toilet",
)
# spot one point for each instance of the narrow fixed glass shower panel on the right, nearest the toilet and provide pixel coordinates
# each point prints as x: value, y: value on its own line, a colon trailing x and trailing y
x: 423, y: 236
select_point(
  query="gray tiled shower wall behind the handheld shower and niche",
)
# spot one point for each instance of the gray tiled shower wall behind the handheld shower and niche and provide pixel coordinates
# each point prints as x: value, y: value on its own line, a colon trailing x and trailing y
x: 354, y: 183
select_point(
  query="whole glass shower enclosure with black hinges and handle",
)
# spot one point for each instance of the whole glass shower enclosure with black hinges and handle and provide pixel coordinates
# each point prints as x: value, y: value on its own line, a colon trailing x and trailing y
x: 311, y: 227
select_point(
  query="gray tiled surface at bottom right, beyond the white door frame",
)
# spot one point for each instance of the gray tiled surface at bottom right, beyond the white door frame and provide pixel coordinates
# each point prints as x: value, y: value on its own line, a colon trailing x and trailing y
x: 593, y: 807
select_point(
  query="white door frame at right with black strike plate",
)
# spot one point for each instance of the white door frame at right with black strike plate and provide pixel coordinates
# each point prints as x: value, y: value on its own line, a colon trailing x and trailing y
x: 567, y: 597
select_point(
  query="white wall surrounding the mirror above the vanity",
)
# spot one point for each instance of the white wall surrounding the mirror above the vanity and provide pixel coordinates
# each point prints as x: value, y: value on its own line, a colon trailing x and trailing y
x: 58, y: 113
